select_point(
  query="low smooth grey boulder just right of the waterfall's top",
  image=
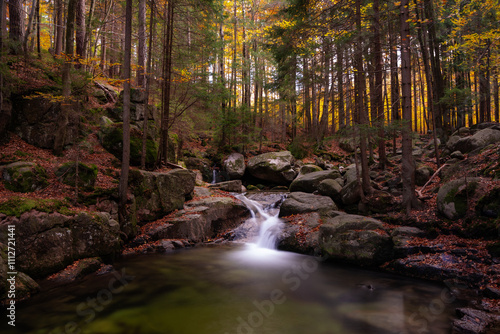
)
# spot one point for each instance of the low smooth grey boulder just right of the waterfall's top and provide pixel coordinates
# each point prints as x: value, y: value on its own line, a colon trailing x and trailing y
x: 300, y: 202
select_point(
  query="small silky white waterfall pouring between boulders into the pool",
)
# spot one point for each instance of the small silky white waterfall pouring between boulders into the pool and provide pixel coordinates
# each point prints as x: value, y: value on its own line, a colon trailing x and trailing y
x: 267, y: 220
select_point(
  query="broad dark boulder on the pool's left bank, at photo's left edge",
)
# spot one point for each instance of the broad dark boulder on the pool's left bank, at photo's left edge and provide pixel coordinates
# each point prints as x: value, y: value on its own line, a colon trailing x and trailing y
x: 48, y: 242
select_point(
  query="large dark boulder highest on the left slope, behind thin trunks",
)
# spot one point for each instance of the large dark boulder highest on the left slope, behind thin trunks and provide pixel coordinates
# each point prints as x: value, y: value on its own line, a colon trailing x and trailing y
x: 42, y: 123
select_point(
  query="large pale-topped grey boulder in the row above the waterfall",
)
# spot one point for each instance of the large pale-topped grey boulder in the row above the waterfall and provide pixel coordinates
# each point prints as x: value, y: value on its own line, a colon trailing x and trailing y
x: 274, y: 167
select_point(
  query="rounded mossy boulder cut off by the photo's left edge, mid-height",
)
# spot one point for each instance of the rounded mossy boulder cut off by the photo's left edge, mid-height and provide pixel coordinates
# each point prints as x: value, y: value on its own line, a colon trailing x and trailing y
x: 23, y: 176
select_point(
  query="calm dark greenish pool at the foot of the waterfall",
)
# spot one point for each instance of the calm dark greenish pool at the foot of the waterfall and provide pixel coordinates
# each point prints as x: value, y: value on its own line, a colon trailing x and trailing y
x: 236, y: 289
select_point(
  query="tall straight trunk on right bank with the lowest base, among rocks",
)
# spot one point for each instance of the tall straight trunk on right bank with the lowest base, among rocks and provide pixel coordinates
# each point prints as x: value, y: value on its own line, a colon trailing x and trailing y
x: 408, y: 165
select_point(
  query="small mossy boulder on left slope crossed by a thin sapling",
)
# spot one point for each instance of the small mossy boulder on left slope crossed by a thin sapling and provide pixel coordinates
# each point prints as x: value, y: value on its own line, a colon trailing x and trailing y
x: 87, y: 175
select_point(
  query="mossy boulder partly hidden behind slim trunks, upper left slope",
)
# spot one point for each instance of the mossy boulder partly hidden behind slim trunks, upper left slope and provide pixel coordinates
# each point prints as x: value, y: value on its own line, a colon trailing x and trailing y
x: 111, y: 139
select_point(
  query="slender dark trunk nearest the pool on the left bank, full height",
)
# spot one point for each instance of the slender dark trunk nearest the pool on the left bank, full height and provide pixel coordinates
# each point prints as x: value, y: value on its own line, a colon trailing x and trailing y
x: 123, y: 186
